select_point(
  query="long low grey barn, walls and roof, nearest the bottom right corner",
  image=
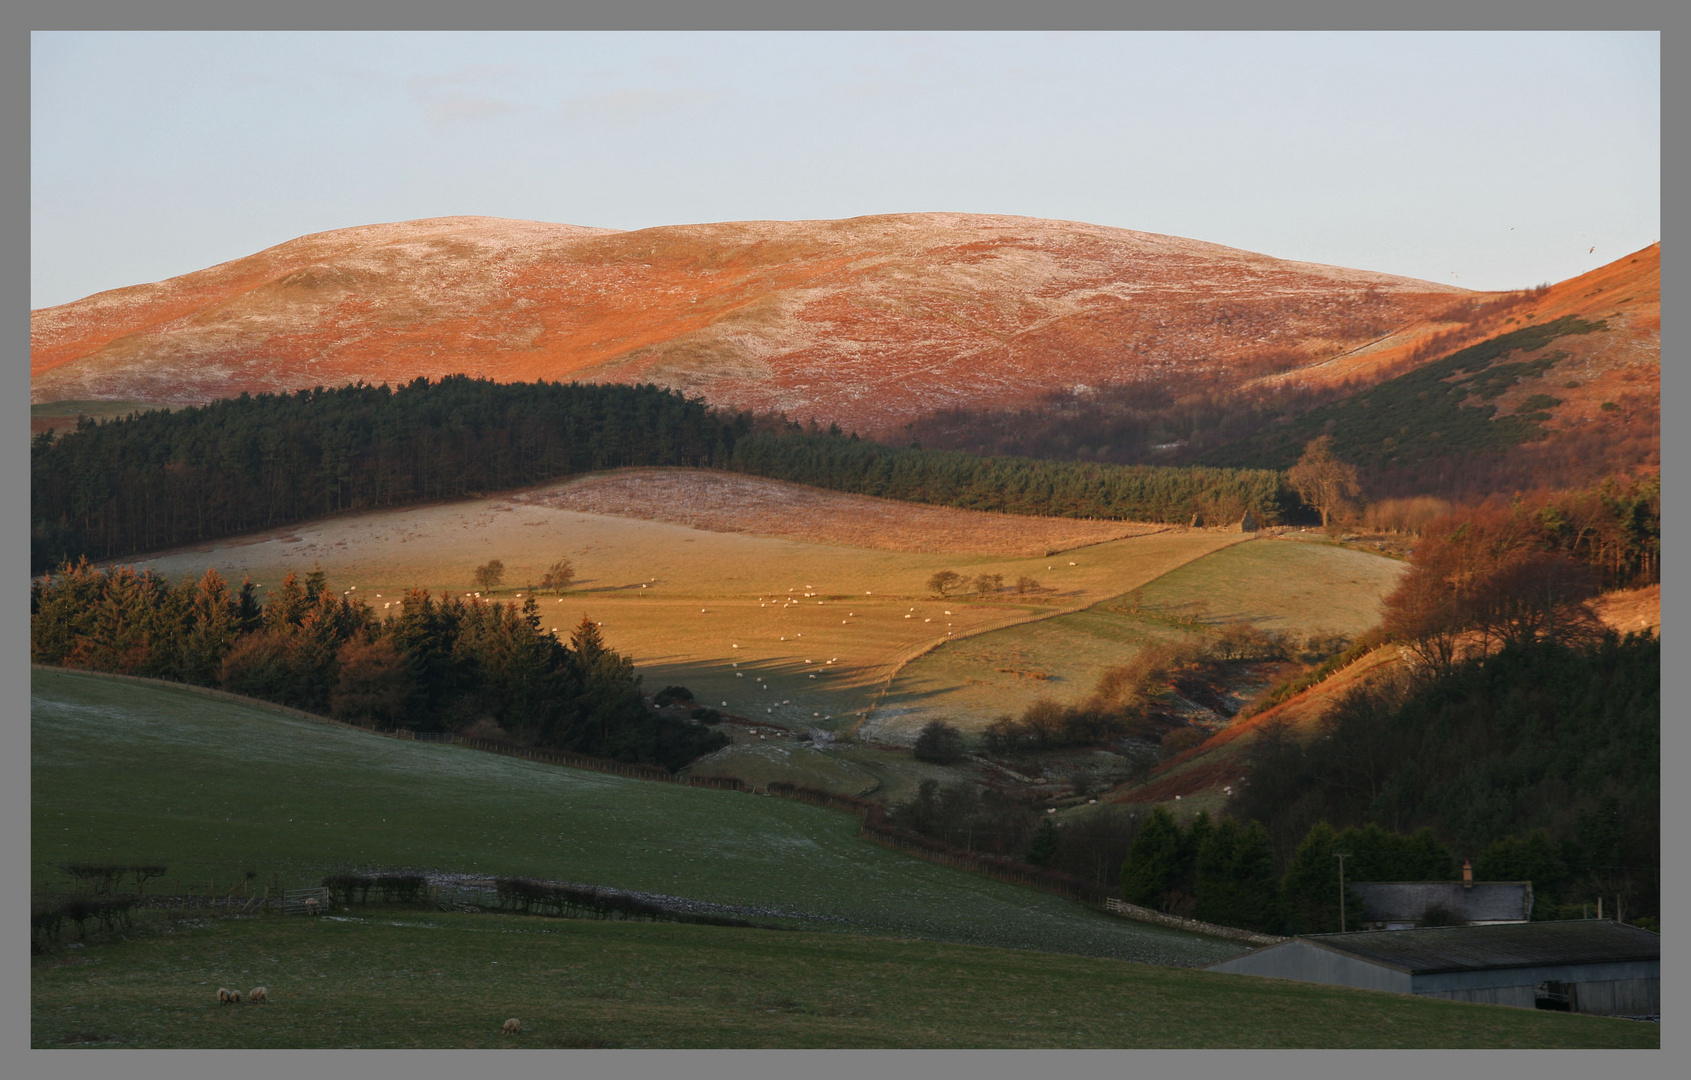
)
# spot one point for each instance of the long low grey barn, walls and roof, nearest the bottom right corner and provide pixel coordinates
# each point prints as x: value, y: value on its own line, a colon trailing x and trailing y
x: 1582, y: 966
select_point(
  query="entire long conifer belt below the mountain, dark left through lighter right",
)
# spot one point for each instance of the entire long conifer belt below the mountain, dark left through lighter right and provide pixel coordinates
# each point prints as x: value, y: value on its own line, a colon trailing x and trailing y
x: 163, y: 479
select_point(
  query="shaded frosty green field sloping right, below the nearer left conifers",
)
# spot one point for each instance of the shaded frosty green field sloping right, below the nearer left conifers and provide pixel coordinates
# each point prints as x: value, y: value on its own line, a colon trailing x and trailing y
x: 126, y: 773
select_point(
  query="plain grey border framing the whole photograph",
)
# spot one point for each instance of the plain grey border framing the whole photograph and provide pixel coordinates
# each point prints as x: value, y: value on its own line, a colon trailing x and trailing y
x: 28, y: 16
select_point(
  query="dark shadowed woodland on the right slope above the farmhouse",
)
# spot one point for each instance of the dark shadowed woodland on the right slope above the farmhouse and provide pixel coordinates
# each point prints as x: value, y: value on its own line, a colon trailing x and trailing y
x: 1546, y: 736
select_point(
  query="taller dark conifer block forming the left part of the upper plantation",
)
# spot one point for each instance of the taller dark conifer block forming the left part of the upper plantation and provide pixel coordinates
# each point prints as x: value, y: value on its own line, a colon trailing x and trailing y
x: 189, y: 476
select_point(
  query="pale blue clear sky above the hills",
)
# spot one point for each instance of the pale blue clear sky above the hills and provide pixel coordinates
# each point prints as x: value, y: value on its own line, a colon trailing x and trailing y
x: 1479, y: 160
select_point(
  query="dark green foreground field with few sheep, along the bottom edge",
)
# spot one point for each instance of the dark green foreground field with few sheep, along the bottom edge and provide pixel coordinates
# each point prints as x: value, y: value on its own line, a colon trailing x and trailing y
x: 434, y: 979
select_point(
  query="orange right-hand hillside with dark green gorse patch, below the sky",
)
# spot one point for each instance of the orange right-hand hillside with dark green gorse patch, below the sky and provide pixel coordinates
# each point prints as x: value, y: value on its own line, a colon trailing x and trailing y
x: 1560, y: 390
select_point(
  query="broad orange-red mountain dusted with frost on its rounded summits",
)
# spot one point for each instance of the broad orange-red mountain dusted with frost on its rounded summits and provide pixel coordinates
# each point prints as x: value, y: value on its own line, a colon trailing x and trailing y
x: 867, y: 322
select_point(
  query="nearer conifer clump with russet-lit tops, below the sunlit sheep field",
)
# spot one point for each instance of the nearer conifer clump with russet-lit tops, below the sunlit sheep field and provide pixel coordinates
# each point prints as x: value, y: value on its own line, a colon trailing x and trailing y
x: 447, y: 663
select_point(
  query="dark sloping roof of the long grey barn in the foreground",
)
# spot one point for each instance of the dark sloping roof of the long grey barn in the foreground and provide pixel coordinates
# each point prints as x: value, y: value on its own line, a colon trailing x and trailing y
x: 1467, y: 949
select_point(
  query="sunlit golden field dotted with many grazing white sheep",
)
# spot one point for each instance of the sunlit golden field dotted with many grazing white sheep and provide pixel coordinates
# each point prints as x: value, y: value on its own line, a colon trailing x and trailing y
x: 725, y: 614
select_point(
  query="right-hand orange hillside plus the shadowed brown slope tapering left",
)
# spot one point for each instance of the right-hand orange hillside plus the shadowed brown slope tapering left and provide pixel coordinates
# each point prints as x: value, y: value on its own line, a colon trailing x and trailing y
x: 1496, y: 393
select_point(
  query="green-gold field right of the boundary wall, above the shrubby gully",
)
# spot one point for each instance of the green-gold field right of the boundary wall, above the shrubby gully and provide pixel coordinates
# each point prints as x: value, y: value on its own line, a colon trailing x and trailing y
x: 1272, y: 584
